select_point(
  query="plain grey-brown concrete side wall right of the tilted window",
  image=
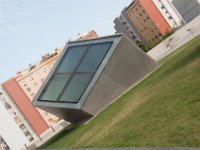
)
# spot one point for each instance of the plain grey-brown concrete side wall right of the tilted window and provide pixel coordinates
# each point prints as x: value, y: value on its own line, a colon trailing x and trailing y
x: 126, y: 66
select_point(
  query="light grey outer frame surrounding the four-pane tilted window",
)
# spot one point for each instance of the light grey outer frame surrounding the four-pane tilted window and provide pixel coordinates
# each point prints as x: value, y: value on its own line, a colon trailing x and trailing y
x: 115, y: 39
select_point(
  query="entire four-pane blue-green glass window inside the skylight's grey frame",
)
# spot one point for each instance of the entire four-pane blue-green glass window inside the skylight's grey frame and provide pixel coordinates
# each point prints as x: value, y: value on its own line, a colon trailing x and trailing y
x: 74, y: 72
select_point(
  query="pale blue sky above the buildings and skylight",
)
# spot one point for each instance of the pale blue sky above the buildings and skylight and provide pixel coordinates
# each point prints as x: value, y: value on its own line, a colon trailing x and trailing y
x: 31, y: 28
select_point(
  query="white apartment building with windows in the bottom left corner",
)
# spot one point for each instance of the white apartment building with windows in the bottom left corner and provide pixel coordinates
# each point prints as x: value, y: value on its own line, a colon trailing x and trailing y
x: 15, y: 131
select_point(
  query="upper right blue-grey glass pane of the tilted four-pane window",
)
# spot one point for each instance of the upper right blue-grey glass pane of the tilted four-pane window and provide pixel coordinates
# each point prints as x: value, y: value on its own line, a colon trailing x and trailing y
x: 94, y: 57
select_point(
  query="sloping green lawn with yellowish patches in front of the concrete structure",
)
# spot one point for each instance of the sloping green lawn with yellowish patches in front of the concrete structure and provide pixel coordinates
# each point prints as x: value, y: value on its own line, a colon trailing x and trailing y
x: 161, y: 111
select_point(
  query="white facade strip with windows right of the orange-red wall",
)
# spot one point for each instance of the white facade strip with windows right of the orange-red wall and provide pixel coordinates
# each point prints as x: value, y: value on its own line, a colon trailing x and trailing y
x: 168, y: 11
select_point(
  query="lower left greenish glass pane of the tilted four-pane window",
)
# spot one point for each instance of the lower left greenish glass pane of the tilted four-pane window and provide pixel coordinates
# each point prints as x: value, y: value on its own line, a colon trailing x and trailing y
x: 55, y: 87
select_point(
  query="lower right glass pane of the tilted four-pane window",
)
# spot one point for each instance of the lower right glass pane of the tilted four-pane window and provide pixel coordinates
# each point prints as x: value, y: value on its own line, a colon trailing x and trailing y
x: 76, y: 87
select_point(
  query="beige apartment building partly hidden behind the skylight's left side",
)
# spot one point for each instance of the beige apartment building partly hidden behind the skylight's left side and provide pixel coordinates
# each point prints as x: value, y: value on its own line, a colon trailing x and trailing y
x: 31, y: 79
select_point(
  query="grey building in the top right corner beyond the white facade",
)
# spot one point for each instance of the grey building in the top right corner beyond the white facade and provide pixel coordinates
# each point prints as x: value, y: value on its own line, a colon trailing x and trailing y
x: 188, y: 9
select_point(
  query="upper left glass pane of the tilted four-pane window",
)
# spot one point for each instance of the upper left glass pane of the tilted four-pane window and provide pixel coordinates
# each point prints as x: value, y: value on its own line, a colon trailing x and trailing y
x: 71, y: 59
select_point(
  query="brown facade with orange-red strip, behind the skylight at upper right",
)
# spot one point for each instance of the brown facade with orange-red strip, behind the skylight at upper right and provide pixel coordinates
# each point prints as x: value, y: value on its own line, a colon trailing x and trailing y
x: 148, y: 20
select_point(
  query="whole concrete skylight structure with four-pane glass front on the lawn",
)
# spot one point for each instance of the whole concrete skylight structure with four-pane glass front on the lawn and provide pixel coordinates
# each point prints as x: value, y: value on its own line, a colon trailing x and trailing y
x: 90, y: 75
